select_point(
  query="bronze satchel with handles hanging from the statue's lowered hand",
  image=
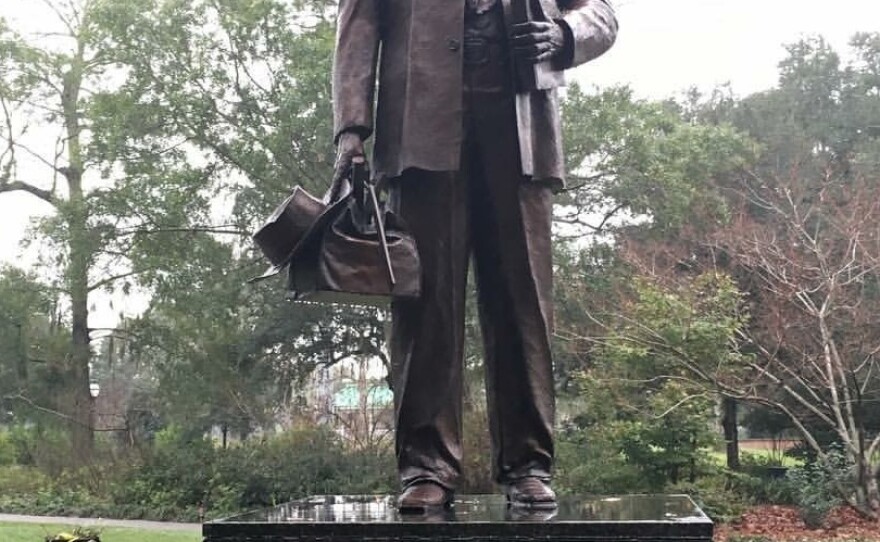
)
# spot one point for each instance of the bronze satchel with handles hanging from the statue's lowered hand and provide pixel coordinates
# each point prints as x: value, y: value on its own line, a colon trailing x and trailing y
x: 347, y: 262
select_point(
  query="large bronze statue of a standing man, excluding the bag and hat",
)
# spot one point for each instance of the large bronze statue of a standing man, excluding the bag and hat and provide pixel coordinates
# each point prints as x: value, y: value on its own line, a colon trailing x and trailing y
x: 467, y: 129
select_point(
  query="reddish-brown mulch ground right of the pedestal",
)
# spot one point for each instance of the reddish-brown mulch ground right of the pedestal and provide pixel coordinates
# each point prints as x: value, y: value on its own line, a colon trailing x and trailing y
x: 783, y: 523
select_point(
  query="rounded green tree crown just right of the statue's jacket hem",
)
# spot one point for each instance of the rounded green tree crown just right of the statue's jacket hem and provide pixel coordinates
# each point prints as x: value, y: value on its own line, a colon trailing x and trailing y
x: 635, y: 160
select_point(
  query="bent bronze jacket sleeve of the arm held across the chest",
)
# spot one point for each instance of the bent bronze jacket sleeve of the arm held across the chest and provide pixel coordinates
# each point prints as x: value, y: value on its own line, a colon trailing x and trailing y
x: 592, y: 27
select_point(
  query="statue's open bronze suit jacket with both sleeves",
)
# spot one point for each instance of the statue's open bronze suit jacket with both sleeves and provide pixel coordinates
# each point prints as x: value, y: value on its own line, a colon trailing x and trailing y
x: 416, y: 45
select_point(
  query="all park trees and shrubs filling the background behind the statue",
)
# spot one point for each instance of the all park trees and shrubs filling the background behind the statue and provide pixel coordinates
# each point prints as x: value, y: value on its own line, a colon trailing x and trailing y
x: 716, y: 270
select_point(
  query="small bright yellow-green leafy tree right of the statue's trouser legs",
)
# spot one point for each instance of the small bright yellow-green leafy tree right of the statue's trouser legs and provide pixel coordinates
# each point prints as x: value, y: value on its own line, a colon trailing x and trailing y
x: 643, y: 383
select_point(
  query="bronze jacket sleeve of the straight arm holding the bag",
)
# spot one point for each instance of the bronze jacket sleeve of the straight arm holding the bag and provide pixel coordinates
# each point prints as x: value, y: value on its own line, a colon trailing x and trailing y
x: 354, y: 66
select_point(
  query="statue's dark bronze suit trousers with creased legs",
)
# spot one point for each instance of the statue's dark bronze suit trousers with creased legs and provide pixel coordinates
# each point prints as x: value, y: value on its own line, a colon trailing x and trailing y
x: 487, y: 209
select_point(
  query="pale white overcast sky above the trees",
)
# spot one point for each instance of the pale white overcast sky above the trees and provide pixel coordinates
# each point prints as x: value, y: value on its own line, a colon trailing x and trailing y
x: 663, y: 48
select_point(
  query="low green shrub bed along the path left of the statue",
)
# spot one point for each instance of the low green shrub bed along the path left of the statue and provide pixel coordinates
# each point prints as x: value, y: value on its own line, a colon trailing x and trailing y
x: 182, y: 475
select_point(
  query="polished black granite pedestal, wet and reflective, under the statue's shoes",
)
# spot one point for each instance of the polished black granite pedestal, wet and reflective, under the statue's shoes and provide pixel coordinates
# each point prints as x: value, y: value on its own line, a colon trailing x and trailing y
x: 473, y: 518
